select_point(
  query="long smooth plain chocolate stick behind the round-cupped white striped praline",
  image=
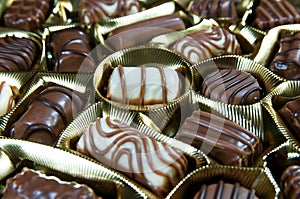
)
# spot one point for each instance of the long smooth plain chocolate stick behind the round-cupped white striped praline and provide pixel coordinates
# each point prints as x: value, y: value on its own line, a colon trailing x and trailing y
x: 142, y: 32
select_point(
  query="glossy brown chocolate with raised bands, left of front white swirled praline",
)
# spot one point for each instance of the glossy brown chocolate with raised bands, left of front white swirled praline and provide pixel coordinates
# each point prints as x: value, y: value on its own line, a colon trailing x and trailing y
x: 47, y: 115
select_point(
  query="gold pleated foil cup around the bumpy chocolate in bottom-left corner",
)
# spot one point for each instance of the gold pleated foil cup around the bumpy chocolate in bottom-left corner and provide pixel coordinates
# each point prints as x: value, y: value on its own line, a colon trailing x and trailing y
x: 17, y: 154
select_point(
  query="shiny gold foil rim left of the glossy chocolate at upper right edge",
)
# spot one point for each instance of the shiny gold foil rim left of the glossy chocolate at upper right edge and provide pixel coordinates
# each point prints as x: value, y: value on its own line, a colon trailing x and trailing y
x: 270, y: 43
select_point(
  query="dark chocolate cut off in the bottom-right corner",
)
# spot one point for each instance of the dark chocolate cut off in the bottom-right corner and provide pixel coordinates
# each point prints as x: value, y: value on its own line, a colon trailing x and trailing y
x: 290, y: 181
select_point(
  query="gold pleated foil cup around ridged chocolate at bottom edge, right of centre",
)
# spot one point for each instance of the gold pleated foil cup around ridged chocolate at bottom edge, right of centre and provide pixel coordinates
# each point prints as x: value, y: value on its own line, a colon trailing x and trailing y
x: 256, y: 178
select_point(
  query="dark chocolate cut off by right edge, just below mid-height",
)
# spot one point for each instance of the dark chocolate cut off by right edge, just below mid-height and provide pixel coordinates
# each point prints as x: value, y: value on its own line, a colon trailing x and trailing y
x: 290, y: 114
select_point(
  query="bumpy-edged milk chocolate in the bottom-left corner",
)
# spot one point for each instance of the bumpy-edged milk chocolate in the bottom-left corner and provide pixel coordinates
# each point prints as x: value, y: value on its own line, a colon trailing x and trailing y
x: 34, y: 184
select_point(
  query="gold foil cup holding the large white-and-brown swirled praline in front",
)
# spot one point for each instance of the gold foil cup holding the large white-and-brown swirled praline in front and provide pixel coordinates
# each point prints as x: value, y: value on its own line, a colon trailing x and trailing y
x: 72, y: 133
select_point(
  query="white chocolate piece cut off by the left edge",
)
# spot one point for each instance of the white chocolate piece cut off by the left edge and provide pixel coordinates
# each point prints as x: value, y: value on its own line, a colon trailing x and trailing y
x: 7, y: 98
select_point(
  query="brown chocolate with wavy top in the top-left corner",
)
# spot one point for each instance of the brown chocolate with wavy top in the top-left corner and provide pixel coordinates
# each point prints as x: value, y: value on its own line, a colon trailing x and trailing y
x: 27, y: 15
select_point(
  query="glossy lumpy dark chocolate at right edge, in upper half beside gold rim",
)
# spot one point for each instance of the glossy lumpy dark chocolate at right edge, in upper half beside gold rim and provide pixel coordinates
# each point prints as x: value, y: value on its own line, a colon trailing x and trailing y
x: 286, y: 62
